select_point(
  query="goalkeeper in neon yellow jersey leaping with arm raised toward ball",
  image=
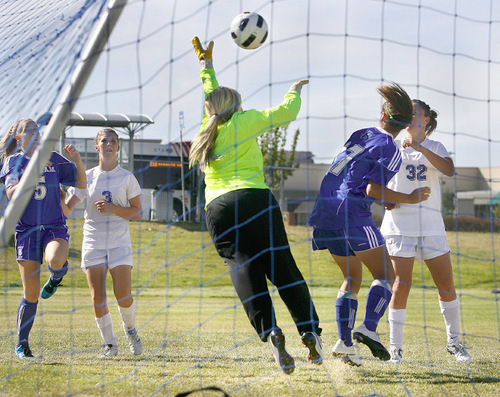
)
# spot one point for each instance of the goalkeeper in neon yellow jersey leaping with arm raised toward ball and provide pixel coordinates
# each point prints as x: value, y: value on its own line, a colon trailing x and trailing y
x: 242, y: 215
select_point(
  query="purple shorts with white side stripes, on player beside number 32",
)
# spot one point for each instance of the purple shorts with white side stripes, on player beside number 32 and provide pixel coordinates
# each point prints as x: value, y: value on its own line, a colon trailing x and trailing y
x: 346, y: 242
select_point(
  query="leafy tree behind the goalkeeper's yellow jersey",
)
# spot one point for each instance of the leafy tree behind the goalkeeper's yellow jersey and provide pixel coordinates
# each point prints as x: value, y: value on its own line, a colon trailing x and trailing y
x: 279, y: 164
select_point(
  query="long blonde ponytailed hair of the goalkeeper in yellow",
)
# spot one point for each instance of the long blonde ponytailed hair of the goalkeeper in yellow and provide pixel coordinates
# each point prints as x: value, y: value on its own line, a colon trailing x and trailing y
x: 220, y: 105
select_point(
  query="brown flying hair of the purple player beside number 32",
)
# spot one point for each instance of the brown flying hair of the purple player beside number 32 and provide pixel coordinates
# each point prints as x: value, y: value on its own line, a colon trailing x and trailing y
x: 397, y: 107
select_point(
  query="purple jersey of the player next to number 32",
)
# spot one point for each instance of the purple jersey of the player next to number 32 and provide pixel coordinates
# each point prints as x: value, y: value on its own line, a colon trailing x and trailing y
x: 342, y: 202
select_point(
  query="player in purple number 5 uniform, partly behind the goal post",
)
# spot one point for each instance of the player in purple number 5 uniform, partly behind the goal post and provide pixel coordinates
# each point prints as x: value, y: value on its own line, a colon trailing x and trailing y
x: 41, y: 230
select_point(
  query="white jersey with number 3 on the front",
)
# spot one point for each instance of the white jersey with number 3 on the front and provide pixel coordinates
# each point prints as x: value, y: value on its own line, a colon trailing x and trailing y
x: 106, y: 230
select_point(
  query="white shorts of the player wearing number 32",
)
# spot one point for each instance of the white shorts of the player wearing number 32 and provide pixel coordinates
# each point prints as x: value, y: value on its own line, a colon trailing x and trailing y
x: 422, y: 248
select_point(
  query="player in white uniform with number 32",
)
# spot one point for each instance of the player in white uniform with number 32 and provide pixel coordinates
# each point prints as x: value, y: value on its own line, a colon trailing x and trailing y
x: 411, y: 228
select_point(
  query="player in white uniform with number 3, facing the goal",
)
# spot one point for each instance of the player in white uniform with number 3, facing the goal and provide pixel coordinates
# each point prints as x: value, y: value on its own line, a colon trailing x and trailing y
x: 114, y: 197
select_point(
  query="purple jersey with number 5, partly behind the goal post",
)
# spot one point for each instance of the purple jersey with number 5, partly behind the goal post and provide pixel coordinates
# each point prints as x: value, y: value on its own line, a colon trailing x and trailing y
x: 44, y: 207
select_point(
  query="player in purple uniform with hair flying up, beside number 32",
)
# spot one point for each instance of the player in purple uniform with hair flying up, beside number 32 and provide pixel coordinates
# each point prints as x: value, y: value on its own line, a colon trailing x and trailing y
x: 342, y: 221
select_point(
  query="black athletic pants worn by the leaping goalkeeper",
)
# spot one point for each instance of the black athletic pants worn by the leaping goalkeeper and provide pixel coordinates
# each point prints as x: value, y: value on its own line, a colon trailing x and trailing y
x: 248, y: 232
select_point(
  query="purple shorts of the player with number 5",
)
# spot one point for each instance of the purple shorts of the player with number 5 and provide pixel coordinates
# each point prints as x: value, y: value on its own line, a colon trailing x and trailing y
x: 31, y: 243
